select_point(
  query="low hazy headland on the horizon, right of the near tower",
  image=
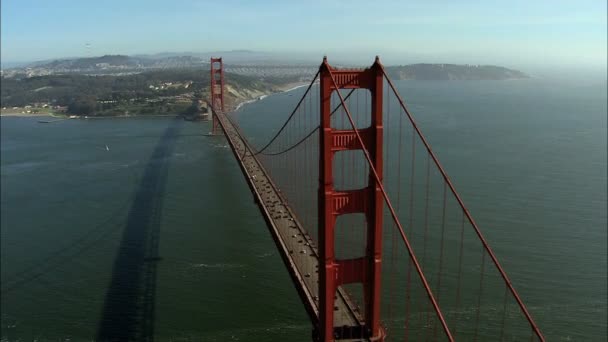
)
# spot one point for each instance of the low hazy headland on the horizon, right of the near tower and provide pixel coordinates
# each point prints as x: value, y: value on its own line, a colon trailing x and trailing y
x: 453, y: 72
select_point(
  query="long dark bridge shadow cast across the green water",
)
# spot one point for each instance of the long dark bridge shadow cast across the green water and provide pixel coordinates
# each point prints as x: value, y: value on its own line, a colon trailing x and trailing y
x: 129, y: 307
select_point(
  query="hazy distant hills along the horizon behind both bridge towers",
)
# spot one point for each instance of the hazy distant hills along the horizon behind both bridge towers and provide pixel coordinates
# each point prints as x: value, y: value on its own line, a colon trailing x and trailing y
x: 239, y: 61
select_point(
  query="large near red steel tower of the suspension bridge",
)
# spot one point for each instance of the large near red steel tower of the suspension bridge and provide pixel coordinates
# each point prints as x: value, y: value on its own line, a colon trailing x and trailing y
x: 334, y: 202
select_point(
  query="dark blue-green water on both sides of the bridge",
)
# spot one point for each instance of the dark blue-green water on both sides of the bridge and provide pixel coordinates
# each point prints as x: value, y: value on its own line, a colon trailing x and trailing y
x: 157, y: 236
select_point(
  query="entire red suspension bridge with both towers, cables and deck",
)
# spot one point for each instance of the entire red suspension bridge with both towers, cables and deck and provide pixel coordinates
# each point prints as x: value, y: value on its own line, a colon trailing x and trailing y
x: 375, y: 237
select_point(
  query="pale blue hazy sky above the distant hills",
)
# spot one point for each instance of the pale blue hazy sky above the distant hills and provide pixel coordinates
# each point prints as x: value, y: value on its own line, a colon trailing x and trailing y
x: 512, y: 33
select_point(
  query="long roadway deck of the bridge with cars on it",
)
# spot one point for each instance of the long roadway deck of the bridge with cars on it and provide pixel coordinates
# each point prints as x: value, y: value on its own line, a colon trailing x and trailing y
x: 295, y: 246
